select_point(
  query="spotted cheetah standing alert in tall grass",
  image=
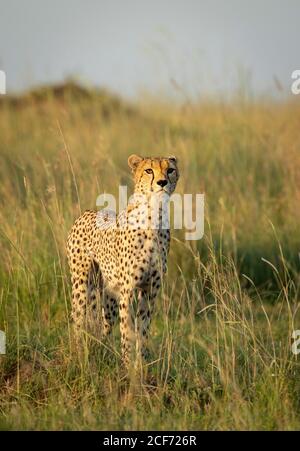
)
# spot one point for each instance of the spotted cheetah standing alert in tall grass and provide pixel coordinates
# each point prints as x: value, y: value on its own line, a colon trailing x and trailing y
x: 118, y: 262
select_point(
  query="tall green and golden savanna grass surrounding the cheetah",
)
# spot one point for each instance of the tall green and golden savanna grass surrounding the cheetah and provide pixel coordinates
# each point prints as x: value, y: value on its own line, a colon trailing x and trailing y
x: 221, y: 336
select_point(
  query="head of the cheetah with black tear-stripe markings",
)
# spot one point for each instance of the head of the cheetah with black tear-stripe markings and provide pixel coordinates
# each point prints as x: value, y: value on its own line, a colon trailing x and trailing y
x: 154, y: 175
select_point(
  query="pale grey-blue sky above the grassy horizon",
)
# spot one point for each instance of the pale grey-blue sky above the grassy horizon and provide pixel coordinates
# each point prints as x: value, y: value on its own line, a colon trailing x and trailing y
x: 134, y: 45
